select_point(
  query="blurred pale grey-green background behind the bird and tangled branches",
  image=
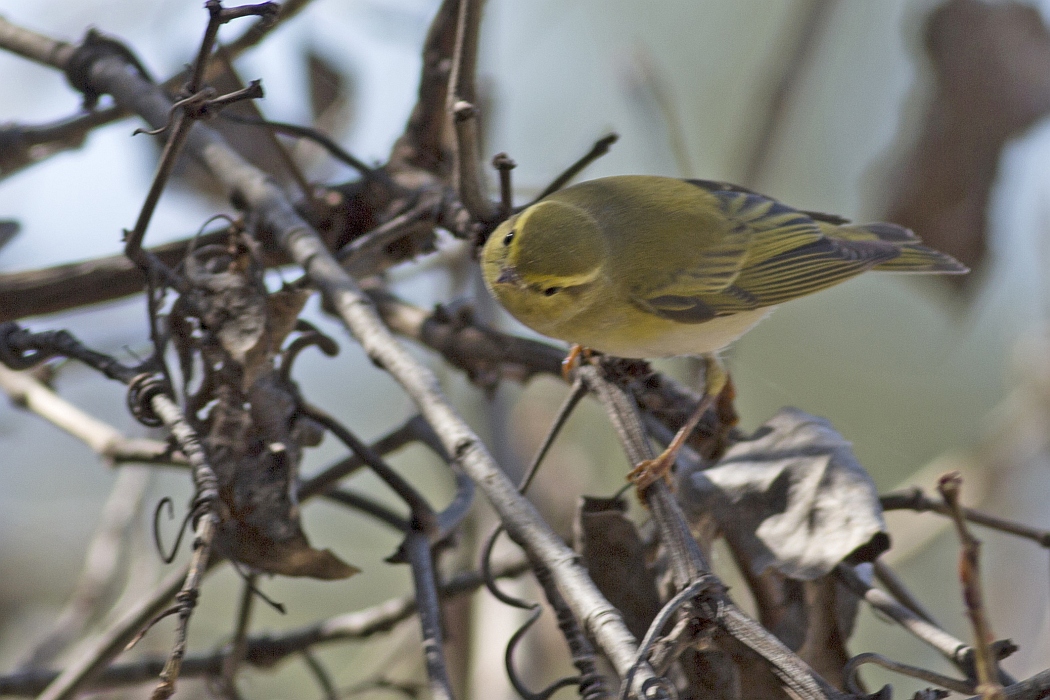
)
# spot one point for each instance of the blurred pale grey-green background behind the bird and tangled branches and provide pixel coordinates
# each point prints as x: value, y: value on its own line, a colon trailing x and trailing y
x: 870, y: 111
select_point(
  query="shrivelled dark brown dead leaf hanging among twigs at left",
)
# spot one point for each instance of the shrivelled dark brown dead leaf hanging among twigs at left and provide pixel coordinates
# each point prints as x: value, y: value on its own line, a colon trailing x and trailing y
x: 248, y: 411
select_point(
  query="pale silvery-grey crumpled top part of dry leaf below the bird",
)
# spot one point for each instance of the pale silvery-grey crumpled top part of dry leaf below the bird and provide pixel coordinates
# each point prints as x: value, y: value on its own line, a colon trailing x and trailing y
x: 793, y: 498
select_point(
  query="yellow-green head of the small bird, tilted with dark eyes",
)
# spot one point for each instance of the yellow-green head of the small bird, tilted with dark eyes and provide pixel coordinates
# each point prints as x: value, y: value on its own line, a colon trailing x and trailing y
x: 544, y: 265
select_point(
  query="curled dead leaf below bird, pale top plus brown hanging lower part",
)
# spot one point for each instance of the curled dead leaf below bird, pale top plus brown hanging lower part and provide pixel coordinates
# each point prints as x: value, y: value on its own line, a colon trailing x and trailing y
x: 793, y: 503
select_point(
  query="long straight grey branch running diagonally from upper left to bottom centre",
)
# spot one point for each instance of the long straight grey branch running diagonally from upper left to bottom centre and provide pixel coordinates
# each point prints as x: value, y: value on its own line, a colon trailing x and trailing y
x: 111, y: 75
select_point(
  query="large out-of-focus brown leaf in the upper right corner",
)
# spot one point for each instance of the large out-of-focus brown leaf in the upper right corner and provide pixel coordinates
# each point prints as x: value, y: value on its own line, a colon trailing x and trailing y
x: 993, y: 70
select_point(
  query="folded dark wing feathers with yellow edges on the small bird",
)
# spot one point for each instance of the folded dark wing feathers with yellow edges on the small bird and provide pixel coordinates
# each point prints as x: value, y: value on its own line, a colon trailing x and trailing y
x: 788, y: 256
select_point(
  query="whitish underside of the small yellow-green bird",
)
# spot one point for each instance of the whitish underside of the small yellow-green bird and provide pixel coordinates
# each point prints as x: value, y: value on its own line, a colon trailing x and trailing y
x: 678, y: 338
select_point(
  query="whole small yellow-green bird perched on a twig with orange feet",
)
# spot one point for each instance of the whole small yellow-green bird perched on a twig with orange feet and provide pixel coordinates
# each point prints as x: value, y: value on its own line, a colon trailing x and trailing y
x: 650, y: 267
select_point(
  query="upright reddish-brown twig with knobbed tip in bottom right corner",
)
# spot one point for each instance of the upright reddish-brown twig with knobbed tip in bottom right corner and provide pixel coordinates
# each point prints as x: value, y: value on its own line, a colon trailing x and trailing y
x: 970, y: 574
